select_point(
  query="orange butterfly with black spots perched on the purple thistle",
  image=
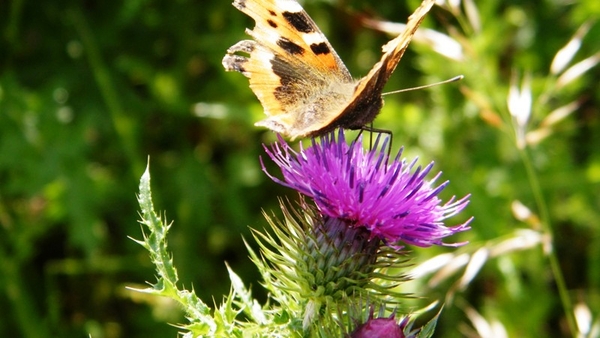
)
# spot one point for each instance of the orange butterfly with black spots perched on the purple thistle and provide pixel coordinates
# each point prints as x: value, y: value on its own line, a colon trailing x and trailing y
x: 301, y: 82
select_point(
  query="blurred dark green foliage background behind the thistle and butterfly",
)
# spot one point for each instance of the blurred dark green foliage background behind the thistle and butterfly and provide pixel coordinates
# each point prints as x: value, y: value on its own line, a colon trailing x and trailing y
x: 89, y: 90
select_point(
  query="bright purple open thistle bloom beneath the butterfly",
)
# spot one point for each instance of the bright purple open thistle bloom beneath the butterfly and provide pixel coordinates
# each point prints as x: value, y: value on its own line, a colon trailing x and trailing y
x: 392, y: 200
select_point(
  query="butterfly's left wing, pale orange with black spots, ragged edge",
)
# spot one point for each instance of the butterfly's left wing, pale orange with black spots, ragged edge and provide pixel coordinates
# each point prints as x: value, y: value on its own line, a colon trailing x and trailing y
x: 292, y: 68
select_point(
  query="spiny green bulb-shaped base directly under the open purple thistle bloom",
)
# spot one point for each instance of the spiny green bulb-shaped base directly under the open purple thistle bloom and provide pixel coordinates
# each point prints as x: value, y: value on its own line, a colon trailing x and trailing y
x: 316, y: 265
